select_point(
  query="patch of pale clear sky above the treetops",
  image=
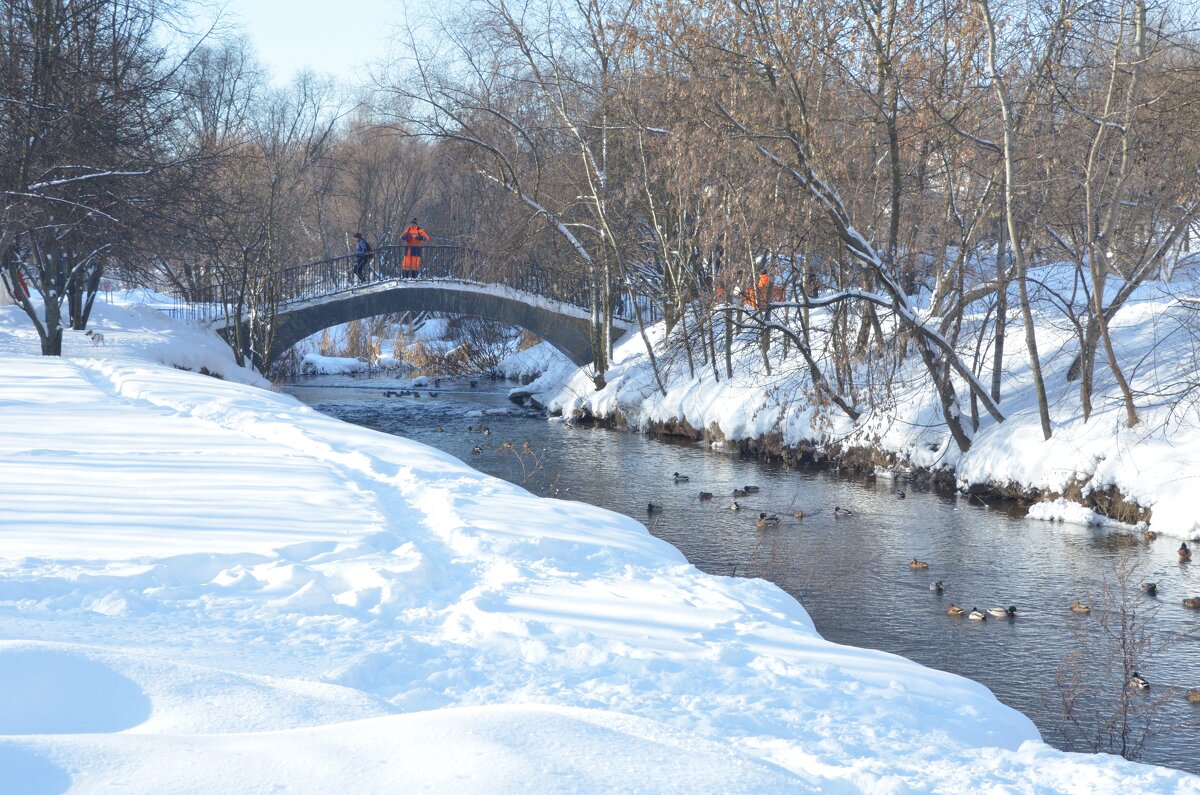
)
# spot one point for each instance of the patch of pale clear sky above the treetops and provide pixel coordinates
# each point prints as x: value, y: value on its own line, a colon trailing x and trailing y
x: 340, y: 39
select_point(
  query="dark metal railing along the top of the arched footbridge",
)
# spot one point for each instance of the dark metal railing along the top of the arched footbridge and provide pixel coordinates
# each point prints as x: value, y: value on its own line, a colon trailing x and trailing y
x: 335, y: 276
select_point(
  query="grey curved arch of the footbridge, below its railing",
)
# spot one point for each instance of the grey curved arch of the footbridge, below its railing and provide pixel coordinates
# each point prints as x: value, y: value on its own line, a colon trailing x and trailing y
x: 565, y: 326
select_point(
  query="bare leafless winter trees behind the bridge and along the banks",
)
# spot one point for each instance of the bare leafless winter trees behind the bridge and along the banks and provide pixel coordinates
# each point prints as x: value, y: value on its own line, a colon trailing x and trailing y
x: 667, y: 158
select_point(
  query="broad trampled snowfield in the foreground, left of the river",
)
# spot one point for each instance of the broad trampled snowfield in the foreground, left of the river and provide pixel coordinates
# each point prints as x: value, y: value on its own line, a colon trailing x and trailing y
x: 207, y: 587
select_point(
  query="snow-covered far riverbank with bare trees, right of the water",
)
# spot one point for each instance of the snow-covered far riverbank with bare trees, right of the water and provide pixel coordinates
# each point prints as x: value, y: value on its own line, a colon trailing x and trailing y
x: 1153, y: 469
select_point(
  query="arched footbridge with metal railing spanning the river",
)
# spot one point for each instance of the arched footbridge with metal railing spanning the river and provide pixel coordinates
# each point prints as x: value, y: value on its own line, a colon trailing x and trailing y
x: 325, y: 294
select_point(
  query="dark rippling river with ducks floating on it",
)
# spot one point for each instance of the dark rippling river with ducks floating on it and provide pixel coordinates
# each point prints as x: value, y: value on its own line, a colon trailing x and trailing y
x: 853, y: 572
